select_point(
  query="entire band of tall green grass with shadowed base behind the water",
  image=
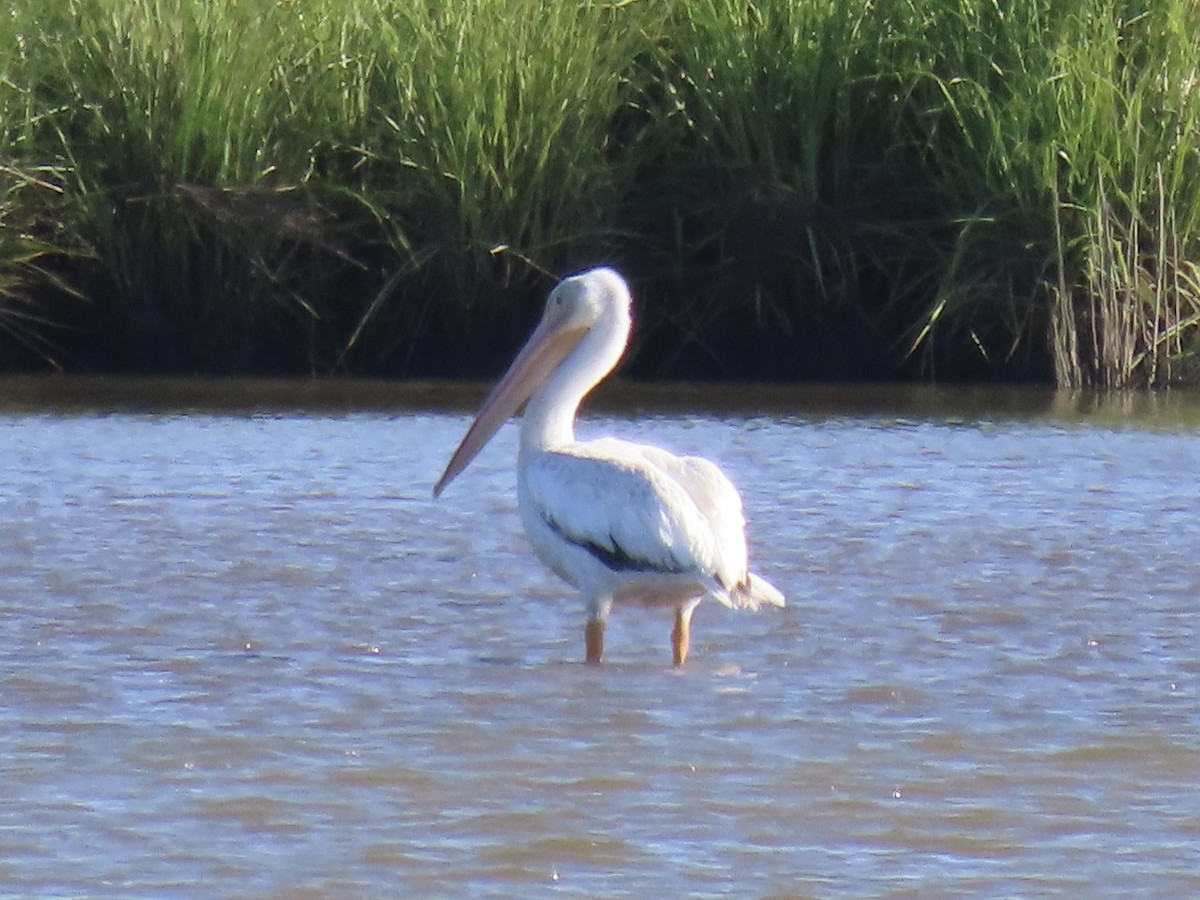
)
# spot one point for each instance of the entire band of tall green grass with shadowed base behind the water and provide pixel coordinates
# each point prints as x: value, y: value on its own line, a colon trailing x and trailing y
x: 805, y: 190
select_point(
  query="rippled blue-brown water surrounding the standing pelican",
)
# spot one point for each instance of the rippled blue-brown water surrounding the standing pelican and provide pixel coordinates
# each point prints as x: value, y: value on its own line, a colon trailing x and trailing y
x: 245, y: 655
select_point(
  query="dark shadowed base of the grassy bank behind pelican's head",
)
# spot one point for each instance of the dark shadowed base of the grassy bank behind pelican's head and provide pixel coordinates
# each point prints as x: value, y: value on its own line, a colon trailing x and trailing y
x: 841, y: 345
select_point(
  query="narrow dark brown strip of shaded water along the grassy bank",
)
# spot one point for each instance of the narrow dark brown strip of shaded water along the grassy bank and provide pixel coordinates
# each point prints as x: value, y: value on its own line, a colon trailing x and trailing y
x: 896, y: 403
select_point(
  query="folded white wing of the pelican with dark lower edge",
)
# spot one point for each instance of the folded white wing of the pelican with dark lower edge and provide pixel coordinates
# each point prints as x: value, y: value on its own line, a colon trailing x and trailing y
x: 641, y: 509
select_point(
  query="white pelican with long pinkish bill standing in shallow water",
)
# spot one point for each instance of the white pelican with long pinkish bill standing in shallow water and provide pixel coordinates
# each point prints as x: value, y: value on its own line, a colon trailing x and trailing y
x: 621, y: 523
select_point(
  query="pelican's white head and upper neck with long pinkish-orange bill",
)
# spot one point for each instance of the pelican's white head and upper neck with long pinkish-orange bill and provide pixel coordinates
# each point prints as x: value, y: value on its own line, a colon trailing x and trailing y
x: 580, y: 339
